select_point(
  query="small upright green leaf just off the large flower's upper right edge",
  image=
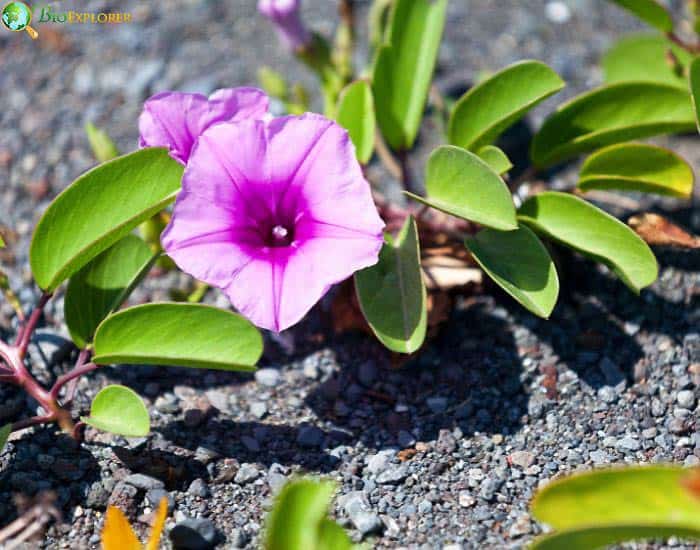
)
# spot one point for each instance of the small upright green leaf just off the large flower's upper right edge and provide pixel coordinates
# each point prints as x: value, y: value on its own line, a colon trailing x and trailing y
x: 356, y: 115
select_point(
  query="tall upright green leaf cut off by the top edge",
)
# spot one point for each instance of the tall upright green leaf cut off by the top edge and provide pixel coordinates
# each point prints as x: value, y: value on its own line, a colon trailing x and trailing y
x: 403, y: 70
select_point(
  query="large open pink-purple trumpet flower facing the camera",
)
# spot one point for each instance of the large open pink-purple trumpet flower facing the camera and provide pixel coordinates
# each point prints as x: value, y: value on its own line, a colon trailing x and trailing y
x: 274, y: 213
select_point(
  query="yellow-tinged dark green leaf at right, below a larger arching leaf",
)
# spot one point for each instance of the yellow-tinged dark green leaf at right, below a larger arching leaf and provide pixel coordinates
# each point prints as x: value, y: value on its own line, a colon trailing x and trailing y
x: 637, y: 167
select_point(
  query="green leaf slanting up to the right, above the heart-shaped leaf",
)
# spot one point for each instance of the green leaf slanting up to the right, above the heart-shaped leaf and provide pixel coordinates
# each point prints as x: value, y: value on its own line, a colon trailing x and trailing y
x: 495, y: 104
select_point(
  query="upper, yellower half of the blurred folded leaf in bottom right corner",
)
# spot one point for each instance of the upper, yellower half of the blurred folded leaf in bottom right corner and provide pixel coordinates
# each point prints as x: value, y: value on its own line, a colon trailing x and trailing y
x: 648, y: 495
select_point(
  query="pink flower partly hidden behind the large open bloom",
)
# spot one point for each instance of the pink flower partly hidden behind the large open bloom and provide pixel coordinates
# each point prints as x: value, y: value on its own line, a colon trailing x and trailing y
x: 175, y: 119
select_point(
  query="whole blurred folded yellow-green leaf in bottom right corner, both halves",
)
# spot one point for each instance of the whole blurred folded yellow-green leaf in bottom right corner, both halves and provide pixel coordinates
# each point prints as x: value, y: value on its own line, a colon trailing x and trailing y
x: 596, y: 509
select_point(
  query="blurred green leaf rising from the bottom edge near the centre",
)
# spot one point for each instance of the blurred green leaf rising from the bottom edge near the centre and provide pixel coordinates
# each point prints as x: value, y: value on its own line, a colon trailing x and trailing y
x: 298, y: 520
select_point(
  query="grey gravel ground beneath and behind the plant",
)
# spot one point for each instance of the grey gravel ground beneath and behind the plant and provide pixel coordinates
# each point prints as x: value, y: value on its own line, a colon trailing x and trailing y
x: 444, y: 452
